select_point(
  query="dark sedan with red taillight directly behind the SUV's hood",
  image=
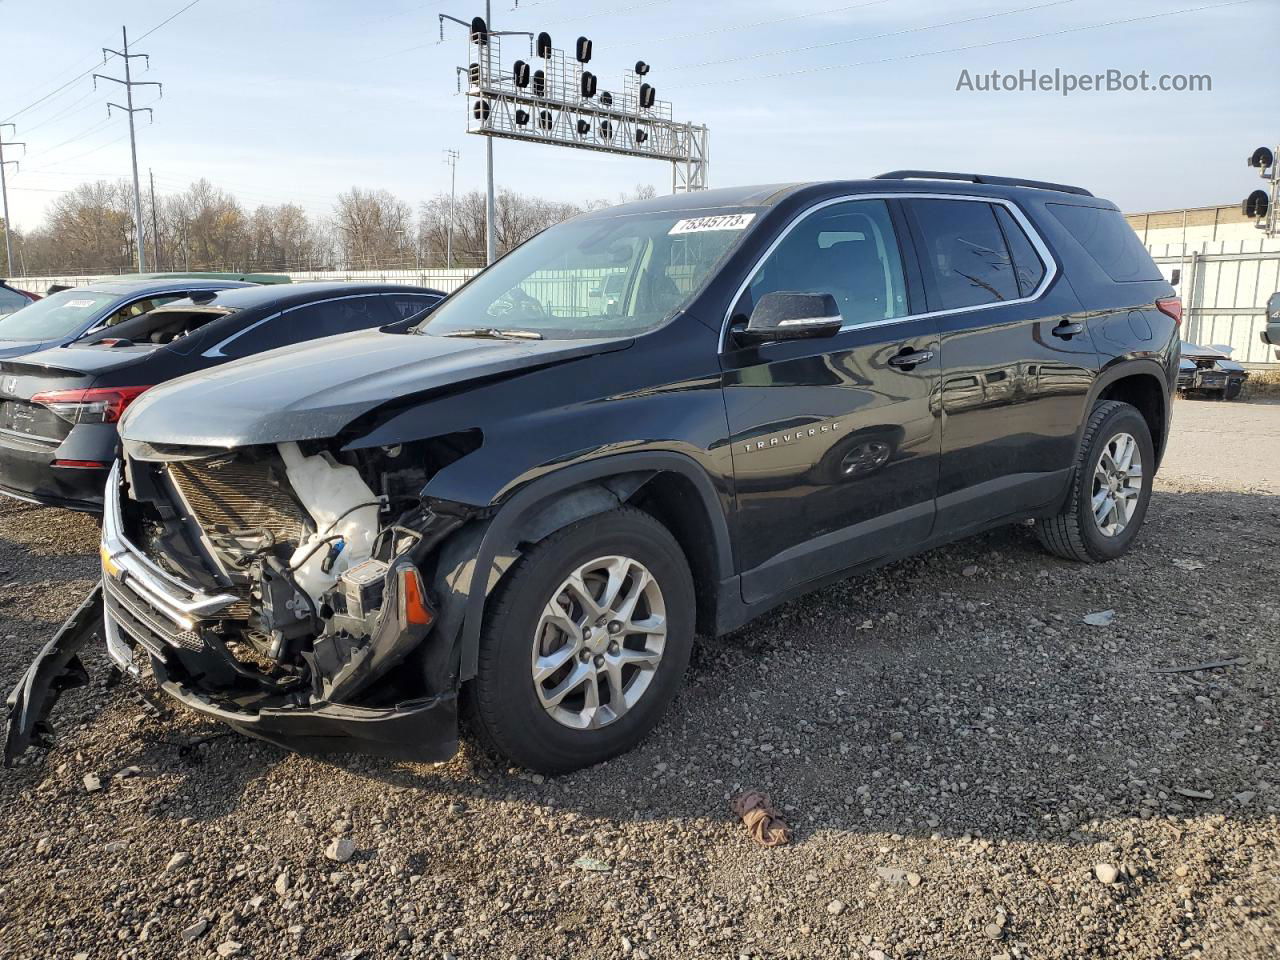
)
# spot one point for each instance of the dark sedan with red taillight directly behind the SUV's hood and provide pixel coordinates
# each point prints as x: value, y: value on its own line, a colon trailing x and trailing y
x: 60, y: 408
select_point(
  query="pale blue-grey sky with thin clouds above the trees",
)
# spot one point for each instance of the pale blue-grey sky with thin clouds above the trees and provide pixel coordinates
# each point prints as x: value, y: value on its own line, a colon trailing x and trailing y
x: 296, y: 102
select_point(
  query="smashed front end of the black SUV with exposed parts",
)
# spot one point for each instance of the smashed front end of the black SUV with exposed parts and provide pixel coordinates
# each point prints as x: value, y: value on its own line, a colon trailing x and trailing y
x: 285, y: 589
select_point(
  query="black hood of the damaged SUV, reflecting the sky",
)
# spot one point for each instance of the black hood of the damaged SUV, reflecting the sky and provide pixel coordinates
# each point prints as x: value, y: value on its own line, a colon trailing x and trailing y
x: 316, y: 390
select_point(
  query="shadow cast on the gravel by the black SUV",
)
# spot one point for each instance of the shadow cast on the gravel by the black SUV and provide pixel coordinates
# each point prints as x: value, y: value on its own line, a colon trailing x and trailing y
x: 958, y: 692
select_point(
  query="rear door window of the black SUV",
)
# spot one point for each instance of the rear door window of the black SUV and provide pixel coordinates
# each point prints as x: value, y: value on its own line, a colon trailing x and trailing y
x: 963, y: 255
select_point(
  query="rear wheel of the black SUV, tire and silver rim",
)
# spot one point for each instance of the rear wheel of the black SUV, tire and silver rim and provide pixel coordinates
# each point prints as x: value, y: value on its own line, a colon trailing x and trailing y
x: 1110, y: 488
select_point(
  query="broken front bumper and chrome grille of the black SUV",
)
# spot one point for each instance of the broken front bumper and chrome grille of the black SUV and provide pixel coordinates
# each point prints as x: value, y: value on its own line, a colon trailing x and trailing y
x: 140, y: 606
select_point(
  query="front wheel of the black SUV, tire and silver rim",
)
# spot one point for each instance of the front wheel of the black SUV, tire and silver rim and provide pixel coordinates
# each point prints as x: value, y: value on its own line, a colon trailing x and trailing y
x: 584, y: 644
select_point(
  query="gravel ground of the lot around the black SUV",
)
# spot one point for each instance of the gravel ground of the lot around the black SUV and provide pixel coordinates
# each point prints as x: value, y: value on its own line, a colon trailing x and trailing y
x: 964, y: 760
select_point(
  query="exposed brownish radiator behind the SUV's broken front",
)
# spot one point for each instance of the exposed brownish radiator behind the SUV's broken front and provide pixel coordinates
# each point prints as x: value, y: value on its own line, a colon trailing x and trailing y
x: 235, y: 495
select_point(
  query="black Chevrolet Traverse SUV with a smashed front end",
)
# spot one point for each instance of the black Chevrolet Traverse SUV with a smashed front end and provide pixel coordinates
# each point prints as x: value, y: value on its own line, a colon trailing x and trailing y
x: 531, y: 502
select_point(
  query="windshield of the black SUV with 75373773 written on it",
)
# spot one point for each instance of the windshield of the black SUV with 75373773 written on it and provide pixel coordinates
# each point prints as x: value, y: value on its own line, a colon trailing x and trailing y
x: 609, y: 277
